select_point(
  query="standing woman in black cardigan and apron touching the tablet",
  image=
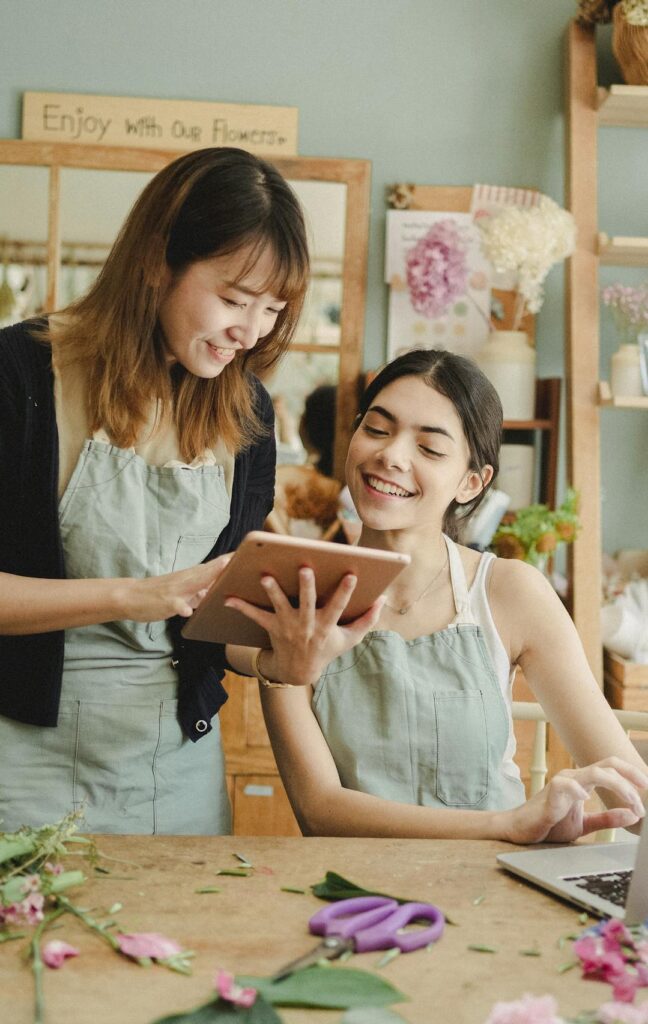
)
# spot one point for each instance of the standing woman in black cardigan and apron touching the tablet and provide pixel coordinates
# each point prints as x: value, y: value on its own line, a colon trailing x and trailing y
x: 137, y: 447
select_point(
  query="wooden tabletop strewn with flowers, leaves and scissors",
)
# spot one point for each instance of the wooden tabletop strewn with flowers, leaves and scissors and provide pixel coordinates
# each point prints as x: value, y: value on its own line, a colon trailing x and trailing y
x: 253, y: 928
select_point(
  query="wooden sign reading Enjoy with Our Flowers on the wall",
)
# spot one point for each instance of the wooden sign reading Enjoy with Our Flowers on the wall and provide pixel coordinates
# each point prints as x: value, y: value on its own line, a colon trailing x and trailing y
x: 158, y: 124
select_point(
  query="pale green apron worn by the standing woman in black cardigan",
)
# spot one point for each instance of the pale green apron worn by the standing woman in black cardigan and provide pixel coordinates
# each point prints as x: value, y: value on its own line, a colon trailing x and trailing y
x: 118, y: 751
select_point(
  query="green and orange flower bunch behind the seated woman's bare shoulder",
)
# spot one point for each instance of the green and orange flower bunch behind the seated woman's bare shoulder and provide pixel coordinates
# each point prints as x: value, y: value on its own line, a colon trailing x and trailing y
x: 534, y: 533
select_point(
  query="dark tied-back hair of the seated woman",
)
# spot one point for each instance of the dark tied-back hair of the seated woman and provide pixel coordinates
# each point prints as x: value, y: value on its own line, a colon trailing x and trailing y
x: 473, y: 397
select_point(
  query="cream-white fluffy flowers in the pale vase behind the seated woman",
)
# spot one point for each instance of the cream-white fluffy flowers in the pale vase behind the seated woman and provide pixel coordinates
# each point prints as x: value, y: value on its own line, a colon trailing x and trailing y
x: 529, y: 242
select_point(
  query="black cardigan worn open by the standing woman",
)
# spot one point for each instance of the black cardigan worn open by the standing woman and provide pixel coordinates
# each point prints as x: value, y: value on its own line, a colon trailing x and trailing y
x: 31, y: 667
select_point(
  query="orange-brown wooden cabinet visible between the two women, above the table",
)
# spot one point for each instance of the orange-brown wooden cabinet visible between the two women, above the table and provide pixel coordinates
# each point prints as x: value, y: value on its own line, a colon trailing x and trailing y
x: 261, y: 806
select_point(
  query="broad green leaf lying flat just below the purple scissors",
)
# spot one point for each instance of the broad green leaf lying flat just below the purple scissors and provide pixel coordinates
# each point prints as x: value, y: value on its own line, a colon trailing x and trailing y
x: 333, y: 988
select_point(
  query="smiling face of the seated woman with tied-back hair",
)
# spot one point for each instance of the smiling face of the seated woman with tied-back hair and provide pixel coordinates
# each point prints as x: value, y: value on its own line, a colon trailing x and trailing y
x: 409, y: 460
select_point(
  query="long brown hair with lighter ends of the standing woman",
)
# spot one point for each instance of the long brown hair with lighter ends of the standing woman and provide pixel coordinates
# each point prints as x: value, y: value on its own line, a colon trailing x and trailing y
x: 208, y: 203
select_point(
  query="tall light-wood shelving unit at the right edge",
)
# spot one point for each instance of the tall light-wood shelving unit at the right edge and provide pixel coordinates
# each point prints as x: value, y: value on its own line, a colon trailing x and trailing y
x: 589, y: 108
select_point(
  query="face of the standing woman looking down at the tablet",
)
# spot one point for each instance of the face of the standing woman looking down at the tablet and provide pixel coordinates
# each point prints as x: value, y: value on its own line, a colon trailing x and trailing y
x: 218, y: 309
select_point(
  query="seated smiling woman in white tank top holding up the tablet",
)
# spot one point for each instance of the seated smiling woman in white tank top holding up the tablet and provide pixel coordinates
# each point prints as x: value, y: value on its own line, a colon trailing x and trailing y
x: 400, y: 724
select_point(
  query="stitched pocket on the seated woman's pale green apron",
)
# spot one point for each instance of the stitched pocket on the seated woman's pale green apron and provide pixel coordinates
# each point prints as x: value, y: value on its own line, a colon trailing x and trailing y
x: 462, y: 772
